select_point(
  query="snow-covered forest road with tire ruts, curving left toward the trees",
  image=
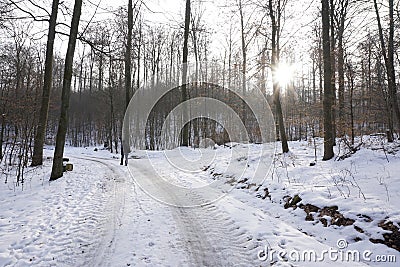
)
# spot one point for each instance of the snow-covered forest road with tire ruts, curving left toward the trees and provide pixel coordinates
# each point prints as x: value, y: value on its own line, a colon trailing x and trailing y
x: 203, y: 236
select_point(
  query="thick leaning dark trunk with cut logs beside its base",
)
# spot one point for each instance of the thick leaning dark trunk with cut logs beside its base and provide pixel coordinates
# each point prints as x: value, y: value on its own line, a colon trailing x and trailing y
x: 57, y: 169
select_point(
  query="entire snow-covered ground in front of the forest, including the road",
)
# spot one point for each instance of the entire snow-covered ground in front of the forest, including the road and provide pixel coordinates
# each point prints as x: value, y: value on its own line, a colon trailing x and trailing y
x: 104, y: 214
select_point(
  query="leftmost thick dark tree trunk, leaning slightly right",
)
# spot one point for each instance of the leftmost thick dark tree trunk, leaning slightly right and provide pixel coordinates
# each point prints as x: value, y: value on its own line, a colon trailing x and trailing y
x: 37, y: 157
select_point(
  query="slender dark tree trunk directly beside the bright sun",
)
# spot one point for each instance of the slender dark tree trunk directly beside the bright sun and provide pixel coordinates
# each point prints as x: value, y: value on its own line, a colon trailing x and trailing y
x: 276, y: 87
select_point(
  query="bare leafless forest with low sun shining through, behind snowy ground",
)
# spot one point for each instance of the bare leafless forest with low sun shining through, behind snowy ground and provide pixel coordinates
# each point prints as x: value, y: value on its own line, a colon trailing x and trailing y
x: 69, y: 69
